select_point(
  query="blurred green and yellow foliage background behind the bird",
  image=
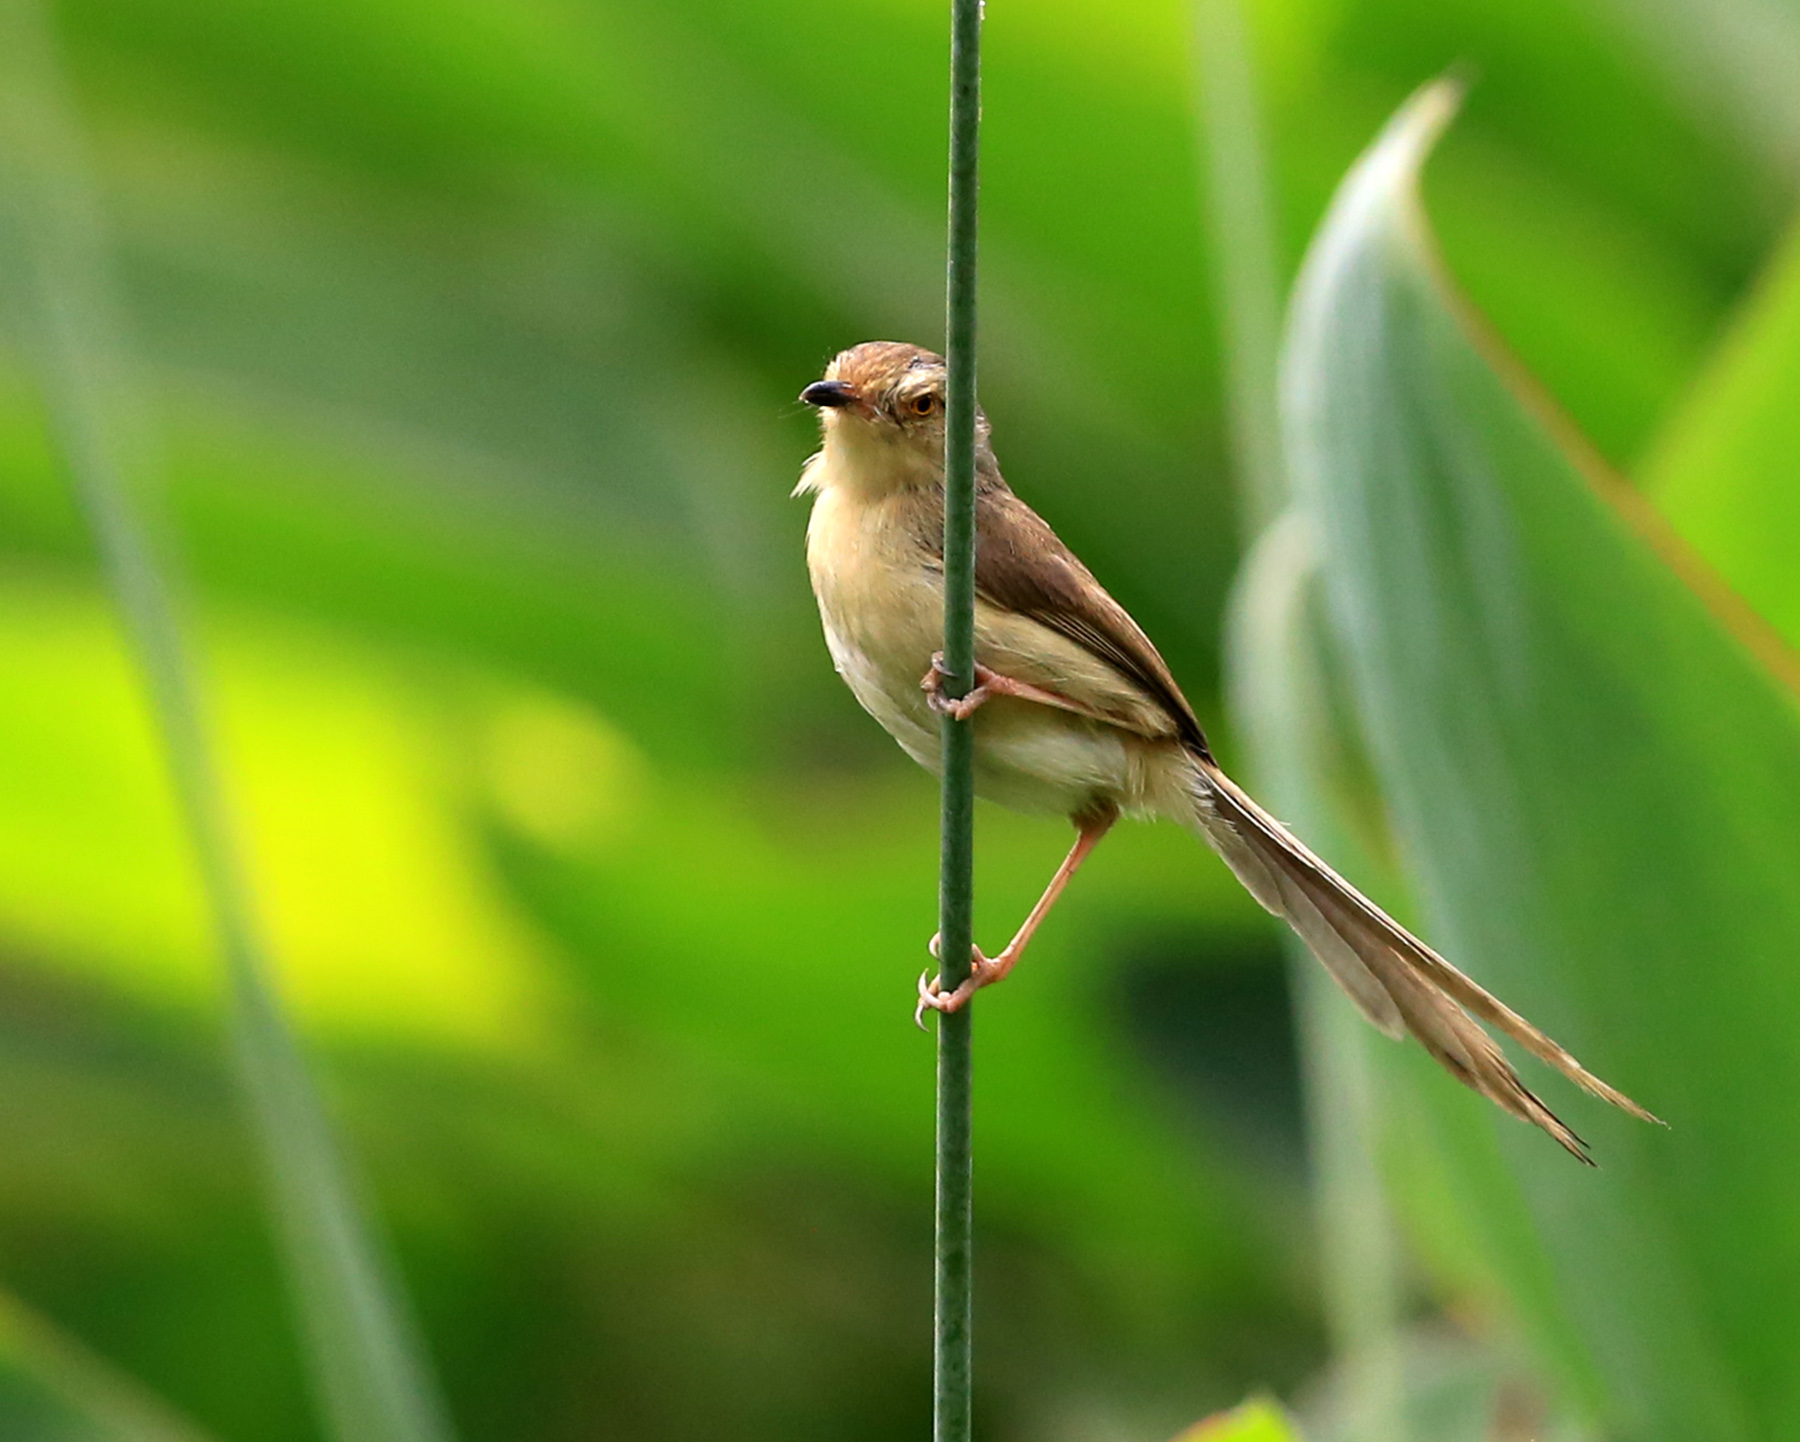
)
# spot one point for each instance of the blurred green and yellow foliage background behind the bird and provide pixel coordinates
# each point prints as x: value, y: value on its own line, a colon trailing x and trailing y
x: 472, y: 336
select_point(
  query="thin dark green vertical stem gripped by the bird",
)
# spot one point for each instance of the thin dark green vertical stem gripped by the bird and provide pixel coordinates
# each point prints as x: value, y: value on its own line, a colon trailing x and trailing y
x: 951, y: 1356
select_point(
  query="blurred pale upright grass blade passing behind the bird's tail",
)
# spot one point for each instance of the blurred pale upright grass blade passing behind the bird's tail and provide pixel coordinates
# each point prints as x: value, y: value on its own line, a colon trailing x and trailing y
x: 1277, y: 685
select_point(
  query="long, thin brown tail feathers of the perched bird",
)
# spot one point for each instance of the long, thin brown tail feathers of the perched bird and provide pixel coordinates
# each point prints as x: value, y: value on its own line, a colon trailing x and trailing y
x: 1394, y: 978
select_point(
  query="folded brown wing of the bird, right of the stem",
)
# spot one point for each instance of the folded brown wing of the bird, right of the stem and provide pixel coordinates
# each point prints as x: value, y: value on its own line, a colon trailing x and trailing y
x: 1025, y: 568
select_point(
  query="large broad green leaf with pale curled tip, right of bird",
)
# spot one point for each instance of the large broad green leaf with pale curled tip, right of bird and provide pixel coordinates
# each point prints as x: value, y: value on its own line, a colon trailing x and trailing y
x: 1597, y: 797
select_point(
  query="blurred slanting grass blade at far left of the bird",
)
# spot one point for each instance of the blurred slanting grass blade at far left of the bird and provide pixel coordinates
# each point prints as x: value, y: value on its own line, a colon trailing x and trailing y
x: 366, y: 1365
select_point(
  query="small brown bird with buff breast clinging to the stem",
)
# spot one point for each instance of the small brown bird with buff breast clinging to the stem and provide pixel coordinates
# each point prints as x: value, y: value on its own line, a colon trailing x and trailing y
x: 1075, y: 714
